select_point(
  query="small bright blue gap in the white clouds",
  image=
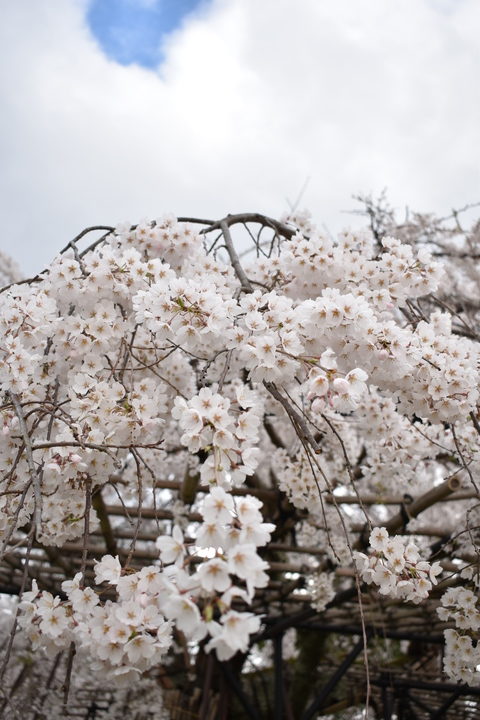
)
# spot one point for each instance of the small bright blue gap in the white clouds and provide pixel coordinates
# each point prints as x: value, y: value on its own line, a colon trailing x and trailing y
x: 132, y: 31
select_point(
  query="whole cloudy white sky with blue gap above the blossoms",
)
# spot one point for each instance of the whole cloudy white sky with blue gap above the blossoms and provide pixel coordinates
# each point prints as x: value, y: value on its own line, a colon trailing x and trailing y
x: 119, y: 110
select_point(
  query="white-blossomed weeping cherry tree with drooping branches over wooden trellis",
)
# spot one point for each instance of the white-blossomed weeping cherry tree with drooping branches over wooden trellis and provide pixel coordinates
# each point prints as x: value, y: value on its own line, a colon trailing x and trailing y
x: 228, y: 448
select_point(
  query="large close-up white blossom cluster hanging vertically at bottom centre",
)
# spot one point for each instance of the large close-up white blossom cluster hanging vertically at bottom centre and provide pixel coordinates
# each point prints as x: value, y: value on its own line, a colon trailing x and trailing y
x: 200, y: 602
